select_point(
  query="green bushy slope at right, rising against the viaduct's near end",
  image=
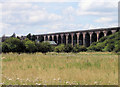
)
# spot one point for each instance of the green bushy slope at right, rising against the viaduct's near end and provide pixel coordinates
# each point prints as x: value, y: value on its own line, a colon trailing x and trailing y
x: 109, y: 43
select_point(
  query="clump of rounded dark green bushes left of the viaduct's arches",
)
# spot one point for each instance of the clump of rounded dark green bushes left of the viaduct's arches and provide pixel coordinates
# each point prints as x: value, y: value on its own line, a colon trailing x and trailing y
x: 28, y: 46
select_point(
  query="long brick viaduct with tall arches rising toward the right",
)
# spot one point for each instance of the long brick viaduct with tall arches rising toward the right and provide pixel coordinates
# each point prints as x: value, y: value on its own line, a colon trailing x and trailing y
x: 83, y: 37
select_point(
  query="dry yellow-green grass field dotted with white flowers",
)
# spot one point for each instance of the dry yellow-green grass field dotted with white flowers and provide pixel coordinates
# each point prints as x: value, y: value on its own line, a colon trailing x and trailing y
x: 94, y: 68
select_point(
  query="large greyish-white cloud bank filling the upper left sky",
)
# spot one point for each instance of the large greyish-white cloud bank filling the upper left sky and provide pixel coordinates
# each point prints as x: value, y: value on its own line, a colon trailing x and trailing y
x: 31, y: 14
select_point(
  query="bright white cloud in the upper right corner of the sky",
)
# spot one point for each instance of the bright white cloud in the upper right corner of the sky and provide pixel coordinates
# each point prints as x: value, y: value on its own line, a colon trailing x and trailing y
x: 93, y: 7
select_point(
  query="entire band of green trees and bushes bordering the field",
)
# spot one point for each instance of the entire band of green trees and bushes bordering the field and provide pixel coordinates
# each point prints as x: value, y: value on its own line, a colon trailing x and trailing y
x: 29, y: 45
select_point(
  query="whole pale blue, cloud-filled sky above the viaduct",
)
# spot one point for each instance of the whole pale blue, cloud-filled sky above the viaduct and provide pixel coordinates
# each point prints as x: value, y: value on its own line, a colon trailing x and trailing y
x: 51, y: 16
